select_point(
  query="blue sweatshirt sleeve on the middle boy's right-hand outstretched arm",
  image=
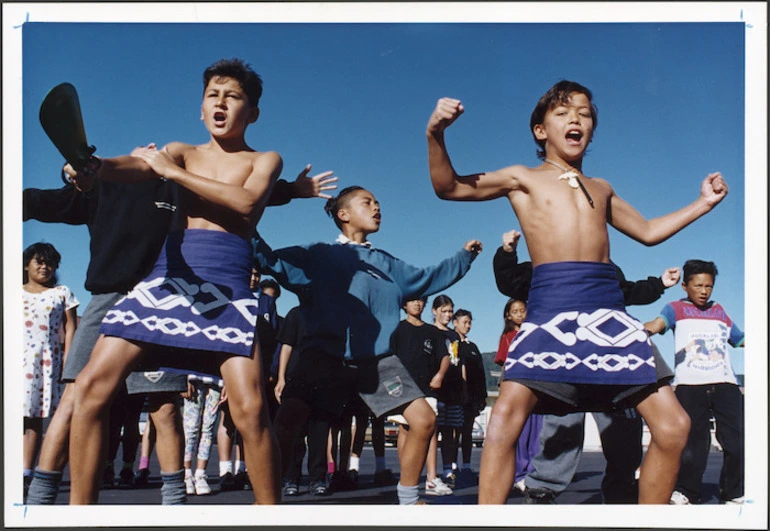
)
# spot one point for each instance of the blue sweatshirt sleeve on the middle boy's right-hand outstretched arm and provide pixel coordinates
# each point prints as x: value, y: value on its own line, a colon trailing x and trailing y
x: 418, y: 282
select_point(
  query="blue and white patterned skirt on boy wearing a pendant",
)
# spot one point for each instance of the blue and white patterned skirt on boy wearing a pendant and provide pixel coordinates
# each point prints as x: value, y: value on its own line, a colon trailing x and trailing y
x: 577, y: 330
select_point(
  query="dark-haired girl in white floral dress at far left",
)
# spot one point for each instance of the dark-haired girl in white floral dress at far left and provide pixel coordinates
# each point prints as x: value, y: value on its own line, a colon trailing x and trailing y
x: 49, y: 324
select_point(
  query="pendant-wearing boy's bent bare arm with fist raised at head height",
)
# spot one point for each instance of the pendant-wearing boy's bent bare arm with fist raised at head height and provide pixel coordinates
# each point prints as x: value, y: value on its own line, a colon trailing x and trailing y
x: 446, y: 182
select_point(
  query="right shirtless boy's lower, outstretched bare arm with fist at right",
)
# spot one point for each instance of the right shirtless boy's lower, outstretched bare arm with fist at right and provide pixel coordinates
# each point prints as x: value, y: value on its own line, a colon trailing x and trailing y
x: 627, y: 220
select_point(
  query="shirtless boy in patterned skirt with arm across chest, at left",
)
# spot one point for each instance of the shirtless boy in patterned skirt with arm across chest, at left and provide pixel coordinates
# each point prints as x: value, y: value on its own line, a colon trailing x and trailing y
x: 195, y: 310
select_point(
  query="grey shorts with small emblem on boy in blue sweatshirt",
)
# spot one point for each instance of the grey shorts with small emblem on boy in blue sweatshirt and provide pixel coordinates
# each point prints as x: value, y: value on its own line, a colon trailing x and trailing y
x: 385, y: 385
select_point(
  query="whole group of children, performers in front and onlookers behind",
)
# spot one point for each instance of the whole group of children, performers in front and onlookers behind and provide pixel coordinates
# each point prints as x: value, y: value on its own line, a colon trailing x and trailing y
x: 282, y: 388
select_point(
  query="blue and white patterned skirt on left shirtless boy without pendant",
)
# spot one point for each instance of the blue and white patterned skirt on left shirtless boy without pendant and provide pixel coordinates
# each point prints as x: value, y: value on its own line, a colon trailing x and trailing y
x: 196, y: 298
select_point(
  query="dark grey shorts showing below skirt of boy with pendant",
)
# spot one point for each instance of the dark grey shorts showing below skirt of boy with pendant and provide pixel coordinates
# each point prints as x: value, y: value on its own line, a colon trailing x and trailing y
x: 560, y: 398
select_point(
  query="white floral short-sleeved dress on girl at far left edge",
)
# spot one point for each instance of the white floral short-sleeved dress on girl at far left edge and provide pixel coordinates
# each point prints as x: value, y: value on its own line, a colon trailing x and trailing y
x: 44, y: 348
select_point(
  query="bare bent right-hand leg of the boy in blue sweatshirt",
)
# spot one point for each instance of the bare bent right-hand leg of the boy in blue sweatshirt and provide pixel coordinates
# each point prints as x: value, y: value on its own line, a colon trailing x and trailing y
x: 422, y: 424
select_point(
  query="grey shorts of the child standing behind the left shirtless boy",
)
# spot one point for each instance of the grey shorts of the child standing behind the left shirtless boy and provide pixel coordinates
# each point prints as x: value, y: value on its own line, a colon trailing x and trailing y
x: 85, y: 338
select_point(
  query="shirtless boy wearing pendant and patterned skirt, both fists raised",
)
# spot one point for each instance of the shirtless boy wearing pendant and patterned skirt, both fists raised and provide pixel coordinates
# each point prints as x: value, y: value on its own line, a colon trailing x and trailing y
x: 560, y: 357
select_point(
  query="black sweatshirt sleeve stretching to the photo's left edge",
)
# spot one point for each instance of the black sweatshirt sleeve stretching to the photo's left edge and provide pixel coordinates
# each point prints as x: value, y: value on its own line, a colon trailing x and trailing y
x: 61, y: 205
